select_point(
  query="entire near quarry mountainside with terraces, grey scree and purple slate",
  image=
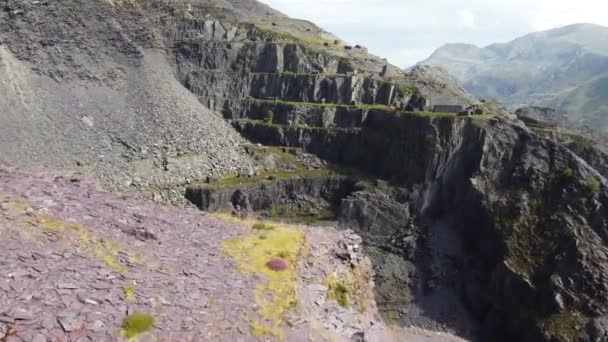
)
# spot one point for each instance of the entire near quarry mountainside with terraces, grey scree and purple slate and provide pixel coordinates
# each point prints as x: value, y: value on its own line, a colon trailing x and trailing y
x: 319, y: 196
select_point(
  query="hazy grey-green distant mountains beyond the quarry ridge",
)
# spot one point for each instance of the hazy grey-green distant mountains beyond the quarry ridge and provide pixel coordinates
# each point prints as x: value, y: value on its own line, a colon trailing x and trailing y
x: 565, y: 69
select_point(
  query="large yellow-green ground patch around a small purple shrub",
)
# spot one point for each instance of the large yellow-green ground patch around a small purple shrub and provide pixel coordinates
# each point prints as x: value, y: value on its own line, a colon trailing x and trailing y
x: 277, y: 294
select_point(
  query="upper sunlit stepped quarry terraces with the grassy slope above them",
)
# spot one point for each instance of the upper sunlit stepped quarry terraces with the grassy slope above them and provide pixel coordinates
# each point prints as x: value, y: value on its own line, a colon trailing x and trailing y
x: 229, y: 63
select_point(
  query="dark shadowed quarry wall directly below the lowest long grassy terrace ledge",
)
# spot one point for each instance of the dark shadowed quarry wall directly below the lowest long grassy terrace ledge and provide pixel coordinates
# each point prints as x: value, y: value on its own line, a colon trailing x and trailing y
x: 406, y: 149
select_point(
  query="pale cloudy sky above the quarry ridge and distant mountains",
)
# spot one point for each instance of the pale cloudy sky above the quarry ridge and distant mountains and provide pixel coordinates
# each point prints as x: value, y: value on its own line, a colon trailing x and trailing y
x: 408, y: 31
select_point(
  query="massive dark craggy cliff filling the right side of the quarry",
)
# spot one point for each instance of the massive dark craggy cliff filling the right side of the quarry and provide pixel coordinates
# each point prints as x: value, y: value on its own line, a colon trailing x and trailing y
x: 530, y: 213
